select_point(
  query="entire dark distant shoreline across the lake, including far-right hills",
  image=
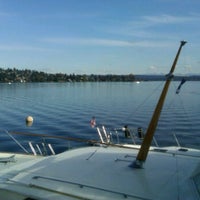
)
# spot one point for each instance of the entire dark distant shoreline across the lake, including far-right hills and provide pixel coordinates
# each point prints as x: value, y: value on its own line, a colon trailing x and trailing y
x: 17, y: 76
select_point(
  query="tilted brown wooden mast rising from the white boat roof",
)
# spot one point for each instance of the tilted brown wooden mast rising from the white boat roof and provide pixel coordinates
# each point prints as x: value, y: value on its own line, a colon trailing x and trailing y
x: 143, y: 152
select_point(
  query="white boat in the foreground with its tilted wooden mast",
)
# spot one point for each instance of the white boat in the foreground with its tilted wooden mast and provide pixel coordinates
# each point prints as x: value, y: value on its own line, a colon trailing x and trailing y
x: 105, y: 170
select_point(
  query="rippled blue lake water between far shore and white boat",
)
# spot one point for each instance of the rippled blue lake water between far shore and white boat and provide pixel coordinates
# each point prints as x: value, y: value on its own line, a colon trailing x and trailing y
x: 65, y: 109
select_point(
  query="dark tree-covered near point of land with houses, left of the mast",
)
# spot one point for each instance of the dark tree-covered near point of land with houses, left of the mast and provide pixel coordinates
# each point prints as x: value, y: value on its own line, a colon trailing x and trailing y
x: 26, y: 75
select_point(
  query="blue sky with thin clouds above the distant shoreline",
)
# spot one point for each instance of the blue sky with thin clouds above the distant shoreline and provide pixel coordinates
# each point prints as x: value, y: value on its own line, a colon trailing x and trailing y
x: 99, y: 36
